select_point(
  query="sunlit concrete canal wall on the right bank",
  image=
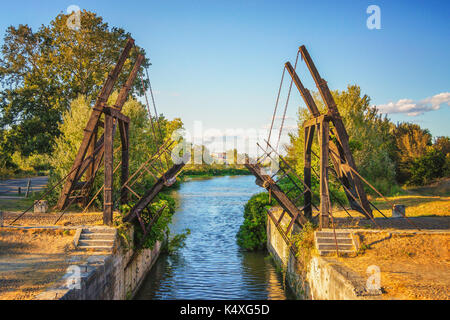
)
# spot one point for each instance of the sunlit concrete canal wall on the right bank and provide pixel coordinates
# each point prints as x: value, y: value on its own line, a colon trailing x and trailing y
x: 322, y: 279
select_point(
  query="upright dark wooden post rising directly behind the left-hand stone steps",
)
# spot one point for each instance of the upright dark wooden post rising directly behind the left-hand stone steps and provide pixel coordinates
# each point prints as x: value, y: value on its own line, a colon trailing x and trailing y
x: 109, y: 175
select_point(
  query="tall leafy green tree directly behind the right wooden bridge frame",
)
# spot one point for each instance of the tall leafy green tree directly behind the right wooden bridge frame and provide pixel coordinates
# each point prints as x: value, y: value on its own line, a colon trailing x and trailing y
x: 370, y: 140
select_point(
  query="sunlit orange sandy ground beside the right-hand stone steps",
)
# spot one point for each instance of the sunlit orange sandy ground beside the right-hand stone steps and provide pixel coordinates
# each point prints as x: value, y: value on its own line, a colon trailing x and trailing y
x: 413, y: 266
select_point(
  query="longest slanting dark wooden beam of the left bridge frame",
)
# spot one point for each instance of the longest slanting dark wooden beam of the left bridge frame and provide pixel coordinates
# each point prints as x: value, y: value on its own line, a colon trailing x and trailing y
x: 92, y: 124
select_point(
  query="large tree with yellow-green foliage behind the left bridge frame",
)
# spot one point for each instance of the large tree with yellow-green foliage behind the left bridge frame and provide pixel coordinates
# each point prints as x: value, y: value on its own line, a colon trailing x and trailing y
x: 42, y: 71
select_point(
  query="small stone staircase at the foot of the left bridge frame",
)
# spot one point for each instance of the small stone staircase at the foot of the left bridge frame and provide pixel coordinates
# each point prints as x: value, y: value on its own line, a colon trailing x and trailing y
x: 96, y: 239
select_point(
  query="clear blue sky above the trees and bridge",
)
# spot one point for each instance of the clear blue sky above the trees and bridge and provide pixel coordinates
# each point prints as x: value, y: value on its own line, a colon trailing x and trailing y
x: 220, y: 62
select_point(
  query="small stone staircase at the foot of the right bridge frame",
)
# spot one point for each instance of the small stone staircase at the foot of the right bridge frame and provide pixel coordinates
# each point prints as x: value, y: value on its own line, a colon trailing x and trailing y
x: 326, y: 242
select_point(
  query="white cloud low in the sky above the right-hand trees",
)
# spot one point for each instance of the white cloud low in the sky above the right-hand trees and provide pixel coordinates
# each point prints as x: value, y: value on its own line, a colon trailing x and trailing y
x: 414, y: 108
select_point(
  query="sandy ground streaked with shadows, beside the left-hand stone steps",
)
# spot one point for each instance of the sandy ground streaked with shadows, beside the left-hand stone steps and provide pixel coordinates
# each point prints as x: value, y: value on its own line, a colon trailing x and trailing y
x: 31, y: 260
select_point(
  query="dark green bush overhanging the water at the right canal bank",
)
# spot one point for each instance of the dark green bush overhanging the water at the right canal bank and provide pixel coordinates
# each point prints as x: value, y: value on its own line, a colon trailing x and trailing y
x: 252, y: 234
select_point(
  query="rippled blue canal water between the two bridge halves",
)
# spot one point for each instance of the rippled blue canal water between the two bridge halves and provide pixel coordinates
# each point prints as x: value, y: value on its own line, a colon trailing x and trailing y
x: 212, y: 266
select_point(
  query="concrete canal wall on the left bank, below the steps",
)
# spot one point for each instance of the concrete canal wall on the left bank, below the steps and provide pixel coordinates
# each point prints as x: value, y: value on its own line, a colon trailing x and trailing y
x: 105, y: 277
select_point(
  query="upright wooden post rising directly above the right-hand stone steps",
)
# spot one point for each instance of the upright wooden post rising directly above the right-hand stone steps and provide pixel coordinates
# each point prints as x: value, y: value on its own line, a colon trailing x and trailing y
x: 324, y: 135
